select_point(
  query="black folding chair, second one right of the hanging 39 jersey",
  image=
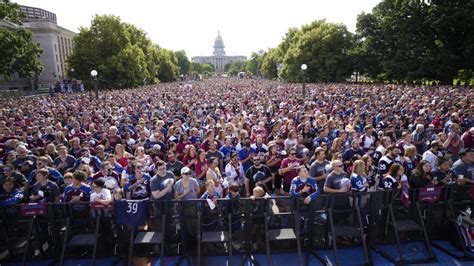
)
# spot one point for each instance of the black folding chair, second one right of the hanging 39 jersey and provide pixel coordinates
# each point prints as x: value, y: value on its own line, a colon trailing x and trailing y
x: 290, y: 233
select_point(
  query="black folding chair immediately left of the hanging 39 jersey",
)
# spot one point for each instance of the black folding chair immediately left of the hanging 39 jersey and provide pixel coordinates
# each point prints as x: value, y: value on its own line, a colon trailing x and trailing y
x: 81, y: 217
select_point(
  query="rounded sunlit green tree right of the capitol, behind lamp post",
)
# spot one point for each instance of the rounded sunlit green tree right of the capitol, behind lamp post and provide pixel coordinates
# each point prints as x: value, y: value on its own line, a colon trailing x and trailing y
x: 323, y: 47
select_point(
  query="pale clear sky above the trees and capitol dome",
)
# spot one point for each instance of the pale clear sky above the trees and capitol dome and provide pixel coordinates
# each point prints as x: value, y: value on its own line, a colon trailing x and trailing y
x: 191, y: 25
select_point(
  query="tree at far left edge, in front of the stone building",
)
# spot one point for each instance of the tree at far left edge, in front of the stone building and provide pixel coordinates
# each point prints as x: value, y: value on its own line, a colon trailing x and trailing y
x: 18, y: 52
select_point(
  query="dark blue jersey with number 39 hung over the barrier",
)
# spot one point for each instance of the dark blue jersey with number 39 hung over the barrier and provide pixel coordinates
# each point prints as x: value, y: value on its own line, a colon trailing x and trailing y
x: 130, y: 212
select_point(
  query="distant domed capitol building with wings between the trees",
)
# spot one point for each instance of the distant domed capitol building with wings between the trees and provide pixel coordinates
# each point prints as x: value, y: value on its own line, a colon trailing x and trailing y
x: 218, y: 58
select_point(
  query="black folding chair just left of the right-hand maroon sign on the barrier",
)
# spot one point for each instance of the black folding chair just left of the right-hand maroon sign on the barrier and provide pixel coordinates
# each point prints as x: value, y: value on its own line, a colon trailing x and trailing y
x: 402, y: 220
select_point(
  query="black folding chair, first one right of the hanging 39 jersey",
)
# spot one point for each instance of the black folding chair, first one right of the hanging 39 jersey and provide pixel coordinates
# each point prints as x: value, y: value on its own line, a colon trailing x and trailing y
x: 219, y: 236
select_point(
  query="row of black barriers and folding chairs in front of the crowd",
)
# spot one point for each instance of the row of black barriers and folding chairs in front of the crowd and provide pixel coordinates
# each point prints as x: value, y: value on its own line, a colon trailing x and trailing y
x: 176, y: 226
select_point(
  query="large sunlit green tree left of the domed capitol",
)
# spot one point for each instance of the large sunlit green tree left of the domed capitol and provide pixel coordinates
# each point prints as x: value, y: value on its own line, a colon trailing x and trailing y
x: 122, y: 54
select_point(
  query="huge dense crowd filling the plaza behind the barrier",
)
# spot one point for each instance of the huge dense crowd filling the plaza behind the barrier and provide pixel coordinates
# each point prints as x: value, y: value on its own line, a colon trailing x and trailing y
x: 198, y: 140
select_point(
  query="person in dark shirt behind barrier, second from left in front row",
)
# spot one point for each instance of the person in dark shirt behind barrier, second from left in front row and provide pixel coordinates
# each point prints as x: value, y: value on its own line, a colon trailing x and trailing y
x: 44, y: 189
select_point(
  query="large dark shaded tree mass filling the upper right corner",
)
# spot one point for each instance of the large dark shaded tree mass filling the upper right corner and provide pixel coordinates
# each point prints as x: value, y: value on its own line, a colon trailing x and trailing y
x: 406, y: 41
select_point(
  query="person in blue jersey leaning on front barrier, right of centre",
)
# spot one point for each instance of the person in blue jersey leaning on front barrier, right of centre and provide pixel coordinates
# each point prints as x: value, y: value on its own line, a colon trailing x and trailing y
x: 305, y: 187
